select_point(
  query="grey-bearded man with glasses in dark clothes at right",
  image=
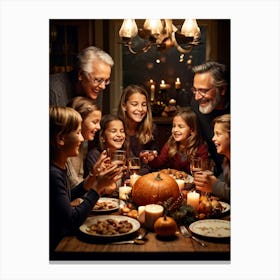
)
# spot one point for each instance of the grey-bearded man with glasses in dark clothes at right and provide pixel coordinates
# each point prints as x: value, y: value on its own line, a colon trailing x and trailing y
x: 211, y: 99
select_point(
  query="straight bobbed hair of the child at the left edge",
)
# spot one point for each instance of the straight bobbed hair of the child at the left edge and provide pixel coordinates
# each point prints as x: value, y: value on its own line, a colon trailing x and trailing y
x: 63, y: 120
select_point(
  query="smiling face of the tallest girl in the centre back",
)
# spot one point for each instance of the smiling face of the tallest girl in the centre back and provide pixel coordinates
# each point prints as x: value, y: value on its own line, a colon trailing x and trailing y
x: 136, y: 107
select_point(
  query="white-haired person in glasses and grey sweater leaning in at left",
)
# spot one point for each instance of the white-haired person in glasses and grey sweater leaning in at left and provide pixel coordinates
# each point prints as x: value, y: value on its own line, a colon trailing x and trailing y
x: 89, y: 78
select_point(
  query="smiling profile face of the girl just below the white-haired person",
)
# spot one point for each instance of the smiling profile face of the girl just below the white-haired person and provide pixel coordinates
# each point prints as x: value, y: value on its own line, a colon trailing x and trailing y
x: 91, y: 124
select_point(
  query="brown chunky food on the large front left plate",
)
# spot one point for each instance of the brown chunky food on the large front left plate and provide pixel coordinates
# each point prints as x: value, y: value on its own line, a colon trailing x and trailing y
x: 109, y: 227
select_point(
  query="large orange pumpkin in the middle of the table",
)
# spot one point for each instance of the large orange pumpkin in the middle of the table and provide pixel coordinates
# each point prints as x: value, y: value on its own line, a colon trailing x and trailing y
x: 153, y: 188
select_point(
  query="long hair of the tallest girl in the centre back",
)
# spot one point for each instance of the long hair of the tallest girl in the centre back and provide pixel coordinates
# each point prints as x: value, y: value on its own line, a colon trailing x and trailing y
x: 144, y: 131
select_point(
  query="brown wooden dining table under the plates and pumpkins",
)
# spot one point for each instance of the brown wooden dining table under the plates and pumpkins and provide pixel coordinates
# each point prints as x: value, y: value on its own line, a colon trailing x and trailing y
x: 176, y: 248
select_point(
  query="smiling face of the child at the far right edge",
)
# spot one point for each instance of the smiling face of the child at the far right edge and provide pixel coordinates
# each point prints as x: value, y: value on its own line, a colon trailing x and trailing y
x: 221, y: 140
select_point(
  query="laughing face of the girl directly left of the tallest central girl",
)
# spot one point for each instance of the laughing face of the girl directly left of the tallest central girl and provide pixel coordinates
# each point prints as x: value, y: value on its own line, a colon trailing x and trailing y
x: 114, y: 135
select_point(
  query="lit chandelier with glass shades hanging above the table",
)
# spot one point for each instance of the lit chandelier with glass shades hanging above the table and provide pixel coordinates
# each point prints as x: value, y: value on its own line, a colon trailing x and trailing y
x: 161, y: 33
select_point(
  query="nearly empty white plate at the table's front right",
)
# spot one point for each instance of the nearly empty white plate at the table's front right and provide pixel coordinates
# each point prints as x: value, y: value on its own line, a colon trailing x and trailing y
x: 211, y: 228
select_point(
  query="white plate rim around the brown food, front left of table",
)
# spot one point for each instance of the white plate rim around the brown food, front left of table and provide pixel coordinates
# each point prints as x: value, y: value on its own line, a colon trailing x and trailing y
x: 93, y: 220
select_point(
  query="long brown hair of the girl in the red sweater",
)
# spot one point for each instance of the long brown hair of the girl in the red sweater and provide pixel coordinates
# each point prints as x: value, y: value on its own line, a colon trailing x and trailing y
x: 194, y: 139
